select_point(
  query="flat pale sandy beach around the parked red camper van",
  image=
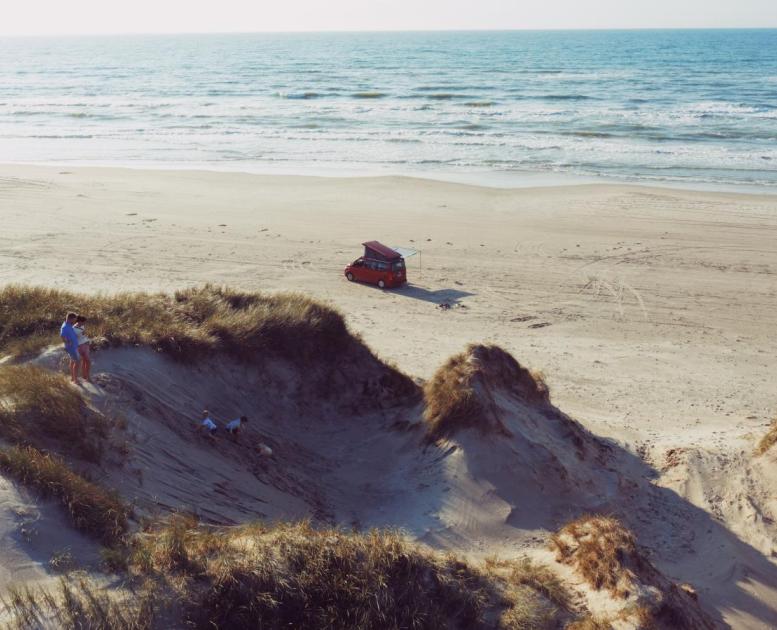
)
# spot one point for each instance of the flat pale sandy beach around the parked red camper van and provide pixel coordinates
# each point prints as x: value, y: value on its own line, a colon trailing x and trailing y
x: 650, y: 311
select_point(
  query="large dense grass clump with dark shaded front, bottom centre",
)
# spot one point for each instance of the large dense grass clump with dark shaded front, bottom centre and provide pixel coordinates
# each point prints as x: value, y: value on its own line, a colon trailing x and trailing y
x: 293, y: 576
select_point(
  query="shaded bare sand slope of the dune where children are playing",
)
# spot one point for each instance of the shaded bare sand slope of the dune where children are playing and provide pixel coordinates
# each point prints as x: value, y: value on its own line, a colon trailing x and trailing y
x: 352, y: 462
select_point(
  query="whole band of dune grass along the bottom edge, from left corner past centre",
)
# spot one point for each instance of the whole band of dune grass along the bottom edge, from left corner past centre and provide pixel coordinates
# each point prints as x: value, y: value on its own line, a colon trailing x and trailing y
x: 294, y: 576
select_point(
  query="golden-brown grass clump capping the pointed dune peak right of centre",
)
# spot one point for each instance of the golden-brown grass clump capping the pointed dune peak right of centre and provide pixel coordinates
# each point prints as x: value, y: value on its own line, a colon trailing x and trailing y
x: 459, y: 395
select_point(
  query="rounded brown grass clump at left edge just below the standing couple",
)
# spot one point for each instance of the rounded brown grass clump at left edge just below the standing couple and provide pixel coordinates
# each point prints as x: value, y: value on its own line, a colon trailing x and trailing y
x: 41, y: 408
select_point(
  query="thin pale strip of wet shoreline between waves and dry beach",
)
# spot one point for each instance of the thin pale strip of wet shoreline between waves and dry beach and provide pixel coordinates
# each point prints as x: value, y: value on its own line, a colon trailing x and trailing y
x: 498, y: 180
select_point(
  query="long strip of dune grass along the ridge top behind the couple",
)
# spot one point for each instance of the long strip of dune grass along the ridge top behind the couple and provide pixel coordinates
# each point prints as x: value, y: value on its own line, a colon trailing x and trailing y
x: 187, y: 324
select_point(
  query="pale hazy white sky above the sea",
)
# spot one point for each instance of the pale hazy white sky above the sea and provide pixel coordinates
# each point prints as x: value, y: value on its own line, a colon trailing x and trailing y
x: 33, y: 17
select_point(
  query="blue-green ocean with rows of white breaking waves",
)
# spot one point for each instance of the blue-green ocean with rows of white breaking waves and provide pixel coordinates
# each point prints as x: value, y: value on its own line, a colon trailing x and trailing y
x: 692, y: 107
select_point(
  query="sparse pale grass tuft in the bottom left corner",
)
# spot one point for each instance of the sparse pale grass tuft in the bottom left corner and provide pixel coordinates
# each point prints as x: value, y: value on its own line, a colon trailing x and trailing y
x: 78, y: 604
